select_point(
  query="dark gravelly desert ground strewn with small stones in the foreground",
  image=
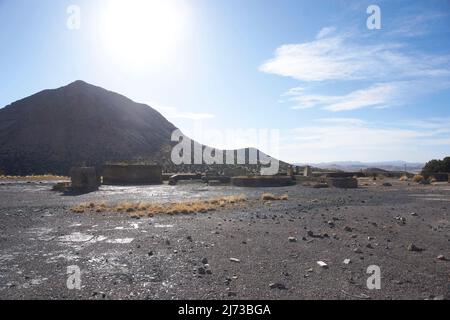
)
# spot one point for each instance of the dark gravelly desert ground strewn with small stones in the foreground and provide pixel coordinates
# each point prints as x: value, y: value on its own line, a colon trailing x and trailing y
x: 250, y: 250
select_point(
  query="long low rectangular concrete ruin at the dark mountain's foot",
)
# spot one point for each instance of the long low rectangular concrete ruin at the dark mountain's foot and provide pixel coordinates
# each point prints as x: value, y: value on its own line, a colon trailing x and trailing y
x: 132, y: 174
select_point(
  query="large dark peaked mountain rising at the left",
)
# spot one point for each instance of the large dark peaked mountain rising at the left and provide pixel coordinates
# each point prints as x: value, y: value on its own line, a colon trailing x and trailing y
x: 81, y: 124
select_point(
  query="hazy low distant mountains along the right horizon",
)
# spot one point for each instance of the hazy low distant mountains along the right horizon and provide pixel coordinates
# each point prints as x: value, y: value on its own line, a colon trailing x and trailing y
x: 412, y: 167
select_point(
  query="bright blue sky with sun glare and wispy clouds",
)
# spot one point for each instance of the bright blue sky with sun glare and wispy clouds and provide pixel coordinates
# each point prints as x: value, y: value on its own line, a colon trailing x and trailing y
x: 305, y: 81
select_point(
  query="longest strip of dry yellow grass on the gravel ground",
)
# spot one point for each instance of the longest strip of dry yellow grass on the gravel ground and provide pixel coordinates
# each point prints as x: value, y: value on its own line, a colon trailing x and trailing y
x: 142, y: 209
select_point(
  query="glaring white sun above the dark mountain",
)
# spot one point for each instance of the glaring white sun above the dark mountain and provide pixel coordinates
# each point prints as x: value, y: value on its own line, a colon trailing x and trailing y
x: 141, y: 33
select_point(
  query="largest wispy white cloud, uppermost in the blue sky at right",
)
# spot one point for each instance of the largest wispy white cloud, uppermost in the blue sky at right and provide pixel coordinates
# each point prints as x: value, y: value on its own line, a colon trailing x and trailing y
x: 337, y: 57
